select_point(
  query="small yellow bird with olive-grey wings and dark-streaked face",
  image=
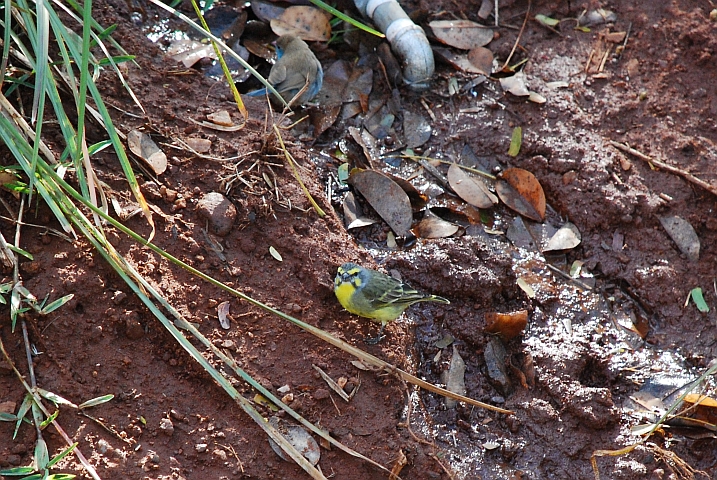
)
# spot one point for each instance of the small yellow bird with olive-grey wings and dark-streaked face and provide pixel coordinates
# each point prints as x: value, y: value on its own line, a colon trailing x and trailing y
x: 371, y: 294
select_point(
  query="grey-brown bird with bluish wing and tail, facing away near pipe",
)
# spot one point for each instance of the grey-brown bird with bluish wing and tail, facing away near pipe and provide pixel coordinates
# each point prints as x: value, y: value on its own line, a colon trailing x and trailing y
x: 296, y: 67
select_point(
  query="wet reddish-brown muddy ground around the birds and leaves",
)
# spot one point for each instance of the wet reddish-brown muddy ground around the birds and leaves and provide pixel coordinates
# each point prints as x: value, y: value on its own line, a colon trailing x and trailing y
x: 659, y: 96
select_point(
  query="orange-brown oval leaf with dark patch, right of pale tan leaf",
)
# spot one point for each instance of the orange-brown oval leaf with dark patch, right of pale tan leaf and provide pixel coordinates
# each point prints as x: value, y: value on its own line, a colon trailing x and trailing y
x: 521, y: 191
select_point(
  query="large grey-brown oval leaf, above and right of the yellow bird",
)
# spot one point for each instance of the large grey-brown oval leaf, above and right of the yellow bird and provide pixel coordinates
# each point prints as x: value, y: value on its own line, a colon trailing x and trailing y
x: 386, y: 197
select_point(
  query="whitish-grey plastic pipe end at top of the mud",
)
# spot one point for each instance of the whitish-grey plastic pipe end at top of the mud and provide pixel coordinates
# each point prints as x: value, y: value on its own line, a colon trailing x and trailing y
x: 408, y: 41
